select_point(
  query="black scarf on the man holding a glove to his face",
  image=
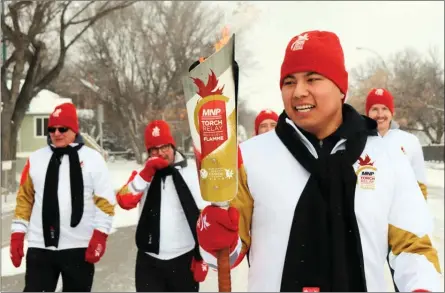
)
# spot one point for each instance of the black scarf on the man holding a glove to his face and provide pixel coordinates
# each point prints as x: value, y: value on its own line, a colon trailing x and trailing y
x: 148, y: 229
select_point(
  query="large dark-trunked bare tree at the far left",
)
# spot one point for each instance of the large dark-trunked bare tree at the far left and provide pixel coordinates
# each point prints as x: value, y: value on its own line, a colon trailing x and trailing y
x: 31, y: 27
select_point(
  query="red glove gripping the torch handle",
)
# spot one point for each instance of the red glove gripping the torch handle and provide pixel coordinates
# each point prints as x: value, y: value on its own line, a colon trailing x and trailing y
x: 217, y: 229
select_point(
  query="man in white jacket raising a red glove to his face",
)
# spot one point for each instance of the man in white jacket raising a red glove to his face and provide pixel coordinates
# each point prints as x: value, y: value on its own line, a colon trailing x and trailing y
x: 168, y: 257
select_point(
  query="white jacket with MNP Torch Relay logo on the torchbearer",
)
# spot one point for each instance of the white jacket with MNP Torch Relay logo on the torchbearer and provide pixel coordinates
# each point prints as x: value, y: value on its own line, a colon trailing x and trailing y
x: 389, y: 207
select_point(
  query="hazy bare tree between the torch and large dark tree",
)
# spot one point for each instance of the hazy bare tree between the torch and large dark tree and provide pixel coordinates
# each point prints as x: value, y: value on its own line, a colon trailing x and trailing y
x: 138, y: 57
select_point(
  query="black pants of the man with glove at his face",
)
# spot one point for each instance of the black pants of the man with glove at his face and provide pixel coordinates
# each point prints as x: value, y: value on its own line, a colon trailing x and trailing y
x: 155, y: 275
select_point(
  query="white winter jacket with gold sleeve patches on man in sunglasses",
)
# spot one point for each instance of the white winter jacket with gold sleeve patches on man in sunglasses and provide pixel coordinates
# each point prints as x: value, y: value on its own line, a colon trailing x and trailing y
x: 99, y: 199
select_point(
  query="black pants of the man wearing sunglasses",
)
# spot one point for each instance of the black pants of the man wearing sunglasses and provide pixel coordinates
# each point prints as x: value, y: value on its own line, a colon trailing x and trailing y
x: 44, y: 266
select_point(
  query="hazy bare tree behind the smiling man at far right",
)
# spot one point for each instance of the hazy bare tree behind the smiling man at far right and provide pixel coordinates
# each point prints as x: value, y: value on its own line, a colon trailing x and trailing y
x: 417, y: 84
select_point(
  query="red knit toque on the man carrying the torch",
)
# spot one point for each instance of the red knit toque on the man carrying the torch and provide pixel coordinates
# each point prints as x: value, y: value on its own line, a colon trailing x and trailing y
x: 316, y: 51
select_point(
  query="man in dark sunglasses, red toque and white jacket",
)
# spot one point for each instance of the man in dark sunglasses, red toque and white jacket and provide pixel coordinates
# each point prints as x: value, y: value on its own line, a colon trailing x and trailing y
x: 65, y: 207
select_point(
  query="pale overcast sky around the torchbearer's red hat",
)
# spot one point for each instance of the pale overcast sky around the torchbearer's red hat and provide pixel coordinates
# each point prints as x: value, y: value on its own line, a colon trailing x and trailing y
x: 385, y: 27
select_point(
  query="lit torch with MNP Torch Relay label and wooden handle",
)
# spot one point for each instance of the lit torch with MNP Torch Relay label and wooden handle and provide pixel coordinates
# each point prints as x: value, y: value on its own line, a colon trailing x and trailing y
x: 210, y: 90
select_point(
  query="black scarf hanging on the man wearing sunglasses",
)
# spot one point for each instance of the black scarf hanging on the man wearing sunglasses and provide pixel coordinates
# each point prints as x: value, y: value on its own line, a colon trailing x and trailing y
x: 50, y: 205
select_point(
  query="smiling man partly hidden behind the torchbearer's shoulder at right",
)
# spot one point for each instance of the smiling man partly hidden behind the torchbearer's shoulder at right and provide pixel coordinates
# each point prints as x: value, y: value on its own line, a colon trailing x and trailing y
x: 380, y: 107
